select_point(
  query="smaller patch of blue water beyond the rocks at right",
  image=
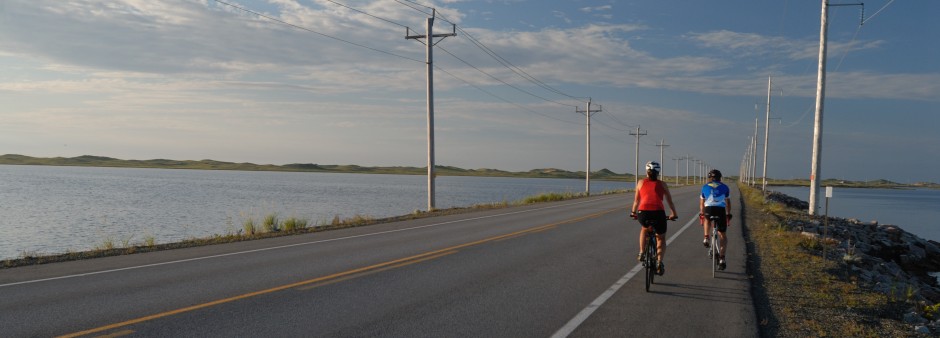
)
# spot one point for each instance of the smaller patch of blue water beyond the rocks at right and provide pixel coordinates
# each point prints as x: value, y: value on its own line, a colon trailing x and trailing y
x: 916, y: 211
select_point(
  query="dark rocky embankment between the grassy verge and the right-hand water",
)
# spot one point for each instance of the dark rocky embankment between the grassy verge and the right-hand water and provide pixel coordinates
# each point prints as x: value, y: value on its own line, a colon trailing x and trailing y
x: 883, y: 257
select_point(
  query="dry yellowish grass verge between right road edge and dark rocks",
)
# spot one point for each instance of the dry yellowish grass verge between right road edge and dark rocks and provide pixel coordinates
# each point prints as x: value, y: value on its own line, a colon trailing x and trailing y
x: 797, y: 293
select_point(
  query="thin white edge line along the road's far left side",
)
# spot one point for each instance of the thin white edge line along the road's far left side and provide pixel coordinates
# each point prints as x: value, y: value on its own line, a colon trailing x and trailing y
x: 290, y: 245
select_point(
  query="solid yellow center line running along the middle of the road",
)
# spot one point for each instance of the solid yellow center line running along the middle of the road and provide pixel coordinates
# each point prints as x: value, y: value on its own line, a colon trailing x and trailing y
x: 328, y: 277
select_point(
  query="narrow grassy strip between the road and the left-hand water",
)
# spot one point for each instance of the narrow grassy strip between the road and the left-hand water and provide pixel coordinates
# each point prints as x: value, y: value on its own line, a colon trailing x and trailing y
x: 268, y: 226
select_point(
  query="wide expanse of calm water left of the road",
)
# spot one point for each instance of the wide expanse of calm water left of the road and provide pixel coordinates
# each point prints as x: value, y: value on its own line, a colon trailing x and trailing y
x: 45, y: 210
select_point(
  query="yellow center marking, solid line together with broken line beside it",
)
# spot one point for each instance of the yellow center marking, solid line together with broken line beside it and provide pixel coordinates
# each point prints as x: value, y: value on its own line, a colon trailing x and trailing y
x: 337, y: 277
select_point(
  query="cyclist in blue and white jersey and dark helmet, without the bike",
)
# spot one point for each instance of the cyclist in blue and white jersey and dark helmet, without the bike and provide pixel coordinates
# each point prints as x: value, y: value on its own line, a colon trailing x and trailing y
x: 716, y: 201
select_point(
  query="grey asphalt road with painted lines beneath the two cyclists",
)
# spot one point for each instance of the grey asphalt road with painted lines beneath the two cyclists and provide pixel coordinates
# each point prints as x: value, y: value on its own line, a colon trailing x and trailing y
x: 564, y: 268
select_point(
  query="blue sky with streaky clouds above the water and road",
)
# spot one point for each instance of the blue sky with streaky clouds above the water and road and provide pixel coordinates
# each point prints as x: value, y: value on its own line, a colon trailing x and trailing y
x: 337, y: 82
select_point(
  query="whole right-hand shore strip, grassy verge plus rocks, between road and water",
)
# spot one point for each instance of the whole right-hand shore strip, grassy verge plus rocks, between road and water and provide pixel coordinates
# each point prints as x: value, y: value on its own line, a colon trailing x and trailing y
x: 867, y: 272
